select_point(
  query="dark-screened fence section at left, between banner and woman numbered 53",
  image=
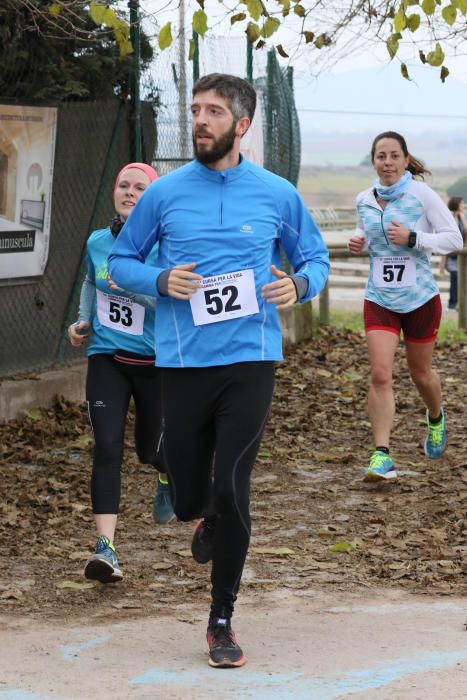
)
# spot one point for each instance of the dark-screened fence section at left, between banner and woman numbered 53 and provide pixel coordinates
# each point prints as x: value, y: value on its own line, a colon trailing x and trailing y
x: 93, y: 143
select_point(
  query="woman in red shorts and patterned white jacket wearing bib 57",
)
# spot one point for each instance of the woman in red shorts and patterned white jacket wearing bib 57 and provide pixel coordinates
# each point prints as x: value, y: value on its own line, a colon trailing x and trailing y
x: 401, y: 221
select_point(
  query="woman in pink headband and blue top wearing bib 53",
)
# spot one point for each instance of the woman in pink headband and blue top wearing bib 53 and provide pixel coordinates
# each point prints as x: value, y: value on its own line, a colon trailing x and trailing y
x: 119, y: 326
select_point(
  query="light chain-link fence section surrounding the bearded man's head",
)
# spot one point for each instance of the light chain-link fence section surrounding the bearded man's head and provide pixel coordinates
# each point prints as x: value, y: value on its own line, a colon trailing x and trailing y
x: 274, y: 86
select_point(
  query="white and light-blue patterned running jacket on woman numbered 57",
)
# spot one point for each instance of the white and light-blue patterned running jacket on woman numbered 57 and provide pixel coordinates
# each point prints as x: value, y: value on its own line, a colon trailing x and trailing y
x: 400, y: 278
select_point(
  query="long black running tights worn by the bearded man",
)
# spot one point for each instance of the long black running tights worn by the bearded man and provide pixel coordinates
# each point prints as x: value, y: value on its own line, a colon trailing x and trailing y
x: 214, y: 418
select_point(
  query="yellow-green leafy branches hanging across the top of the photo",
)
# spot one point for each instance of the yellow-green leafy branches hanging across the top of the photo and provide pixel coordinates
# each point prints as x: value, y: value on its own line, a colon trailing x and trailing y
x: 389, y: 21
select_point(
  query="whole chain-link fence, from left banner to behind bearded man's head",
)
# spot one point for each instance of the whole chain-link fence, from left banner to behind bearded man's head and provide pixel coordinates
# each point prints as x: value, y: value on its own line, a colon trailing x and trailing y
x: 93, y: 140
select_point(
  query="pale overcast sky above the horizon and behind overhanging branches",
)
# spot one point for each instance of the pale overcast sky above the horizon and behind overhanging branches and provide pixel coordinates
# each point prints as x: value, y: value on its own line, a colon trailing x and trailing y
x: 363, y: 92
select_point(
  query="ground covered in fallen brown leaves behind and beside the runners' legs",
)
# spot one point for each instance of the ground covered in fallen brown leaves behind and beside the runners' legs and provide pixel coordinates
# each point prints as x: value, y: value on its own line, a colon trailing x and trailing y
x: 307, y: 493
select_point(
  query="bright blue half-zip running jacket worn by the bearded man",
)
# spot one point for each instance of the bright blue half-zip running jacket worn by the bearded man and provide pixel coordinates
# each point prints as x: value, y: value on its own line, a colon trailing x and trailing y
x: 226, y: 222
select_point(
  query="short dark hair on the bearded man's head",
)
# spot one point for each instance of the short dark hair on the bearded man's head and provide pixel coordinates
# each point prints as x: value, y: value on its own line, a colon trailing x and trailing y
x: 239, y: 93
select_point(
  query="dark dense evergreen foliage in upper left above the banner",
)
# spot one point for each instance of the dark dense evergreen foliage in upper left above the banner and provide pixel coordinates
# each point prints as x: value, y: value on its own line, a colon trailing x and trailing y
x: 80, y: 63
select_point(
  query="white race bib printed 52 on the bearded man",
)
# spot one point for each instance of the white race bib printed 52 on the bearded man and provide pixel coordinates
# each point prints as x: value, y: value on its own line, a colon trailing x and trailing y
x: 224, y: 297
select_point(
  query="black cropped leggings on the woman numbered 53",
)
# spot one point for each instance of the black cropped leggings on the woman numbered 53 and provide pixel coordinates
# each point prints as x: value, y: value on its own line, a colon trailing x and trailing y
x: 109, y: 387
